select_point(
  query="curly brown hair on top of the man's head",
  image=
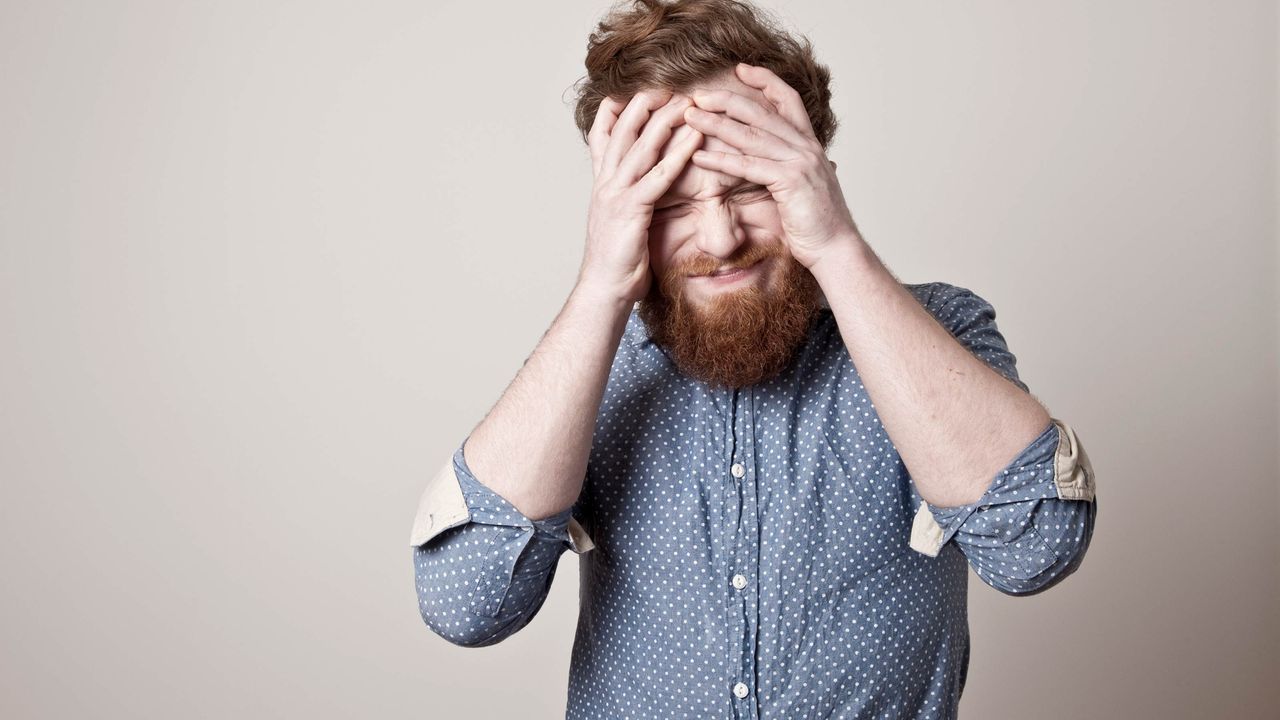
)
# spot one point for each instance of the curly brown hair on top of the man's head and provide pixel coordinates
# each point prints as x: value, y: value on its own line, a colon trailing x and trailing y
x: 678, y: 45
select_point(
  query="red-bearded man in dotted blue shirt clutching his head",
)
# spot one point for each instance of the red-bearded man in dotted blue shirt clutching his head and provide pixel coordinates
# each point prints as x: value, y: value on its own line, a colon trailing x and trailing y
x: 779, y: 467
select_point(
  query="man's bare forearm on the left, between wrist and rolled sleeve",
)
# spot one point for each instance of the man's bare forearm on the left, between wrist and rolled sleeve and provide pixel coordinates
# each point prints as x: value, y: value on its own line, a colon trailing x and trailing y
x: 533, y: 446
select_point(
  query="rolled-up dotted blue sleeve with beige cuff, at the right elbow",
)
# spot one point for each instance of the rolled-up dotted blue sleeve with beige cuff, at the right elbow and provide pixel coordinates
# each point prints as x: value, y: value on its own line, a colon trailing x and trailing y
x: 1032, y: 527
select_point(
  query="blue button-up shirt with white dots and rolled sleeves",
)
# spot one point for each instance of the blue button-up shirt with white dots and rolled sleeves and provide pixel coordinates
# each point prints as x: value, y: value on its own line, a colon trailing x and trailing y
x: 762, y: 552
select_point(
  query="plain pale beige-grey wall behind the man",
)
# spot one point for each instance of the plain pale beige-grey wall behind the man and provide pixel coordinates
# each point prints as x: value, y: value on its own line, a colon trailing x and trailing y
x: 266, y: 265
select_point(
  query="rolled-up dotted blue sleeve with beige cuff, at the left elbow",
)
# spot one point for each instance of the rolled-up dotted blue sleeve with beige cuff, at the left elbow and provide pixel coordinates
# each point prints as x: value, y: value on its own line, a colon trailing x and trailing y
x: 483, y: 569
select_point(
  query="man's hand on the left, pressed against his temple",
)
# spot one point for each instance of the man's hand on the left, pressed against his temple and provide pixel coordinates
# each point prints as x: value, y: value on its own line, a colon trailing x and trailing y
x: 629, y: 179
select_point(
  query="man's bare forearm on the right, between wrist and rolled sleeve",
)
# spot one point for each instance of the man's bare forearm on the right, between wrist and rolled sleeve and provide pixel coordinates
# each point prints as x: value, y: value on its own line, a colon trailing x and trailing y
x: 954, y: 421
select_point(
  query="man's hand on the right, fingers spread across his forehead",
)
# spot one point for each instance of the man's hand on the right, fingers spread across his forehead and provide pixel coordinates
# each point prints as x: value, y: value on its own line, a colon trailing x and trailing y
x: 780, y: 152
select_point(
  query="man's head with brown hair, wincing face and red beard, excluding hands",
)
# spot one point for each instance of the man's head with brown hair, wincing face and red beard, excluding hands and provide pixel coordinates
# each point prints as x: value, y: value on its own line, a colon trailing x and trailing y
x: 738, y: 330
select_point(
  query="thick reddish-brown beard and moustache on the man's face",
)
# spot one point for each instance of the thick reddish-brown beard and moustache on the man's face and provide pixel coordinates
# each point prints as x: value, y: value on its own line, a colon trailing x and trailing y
x: 740, y: 338
